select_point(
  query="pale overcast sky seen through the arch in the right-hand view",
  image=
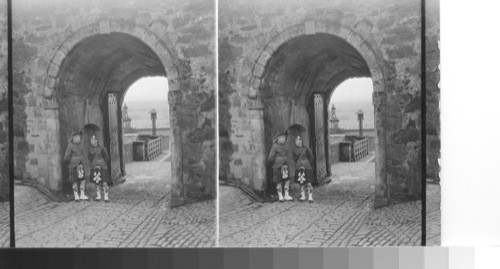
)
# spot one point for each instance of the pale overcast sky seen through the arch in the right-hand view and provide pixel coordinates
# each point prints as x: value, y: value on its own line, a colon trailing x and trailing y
x: 353, y: 90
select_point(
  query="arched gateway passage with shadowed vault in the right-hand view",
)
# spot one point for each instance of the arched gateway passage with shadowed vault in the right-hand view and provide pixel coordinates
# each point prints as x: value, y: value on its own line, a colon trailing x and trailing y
x: 296, y: 80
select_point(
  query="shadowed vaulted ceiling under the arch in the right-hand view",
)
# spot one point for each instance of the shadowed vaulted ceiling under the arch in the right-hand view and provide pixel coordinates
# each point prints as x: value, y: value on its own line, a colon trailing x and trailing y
x: 311, y: 63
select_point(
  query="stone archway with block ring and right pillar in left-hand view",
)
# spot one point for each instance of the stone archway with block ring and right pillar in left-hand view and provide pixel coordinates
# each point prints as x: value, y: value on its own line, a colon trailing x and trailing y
x: 100, y: 60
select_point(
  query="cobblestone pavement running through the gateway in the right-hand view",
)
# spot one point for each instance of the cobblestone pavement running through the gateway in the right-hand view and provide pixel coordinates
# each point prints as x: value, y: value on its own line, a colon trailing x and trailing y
x: 342, y: 215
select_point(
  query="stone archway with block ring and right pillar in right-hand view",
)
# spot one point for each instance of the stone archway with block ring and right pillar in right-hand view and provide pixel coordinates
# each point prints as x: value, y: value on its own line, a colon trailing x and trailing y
x: 304, y: 63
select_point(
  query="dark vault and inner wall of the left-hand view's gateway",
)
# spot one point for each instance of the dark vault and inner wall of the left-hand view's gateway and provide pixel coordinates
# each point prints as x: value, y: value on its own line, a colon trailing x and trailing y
x: 93, y: 68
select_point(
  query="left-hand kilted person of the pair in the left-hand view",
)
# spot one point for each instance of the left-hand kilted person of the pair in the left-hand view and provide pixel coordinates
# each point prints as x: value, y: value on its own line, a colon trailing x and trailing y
x: 74, y: 158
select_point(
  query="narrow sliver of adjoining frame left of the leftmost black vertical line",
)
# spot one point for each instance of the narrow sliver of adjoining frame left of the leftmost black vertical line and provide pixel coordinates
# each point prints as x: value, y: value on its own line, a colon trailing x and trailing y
x: 4, y: 159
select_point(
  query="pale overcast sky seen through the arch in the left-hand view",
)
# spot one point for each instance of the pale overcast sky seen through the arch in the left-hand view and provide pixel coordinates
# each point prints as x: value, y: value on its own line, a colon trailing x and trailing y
x: 148, y: 89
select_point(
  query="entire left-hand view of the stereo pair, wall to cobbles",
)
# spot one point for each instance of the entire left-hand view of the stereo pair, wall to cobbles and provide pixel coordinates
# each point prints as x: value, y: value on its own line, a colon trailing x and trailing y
x: 114, y: 123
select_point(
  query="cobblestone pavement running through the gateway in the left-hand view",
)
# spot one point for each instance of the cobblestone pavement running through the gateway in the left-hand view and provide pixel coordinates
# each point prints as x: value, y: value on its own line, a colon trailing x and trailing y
x: 138, y: 216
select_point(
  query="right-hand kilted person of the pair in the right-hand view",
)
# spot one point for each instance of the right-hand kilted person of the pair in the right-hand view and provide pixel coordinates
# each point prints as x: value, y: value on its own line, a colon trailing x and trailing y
x: 303, y: 158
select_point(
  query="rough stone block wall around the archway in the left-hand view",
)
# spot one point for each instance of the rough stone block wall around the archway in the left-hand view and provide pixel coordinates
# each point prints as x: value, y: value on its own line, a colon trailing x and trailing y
x: 181, y: 32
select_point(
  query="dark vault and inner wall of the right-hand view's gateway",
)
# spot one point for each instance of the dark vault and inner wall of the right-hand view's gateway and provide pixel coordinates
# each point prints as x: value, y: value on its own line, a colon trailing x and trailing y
x: 300, y: 68
